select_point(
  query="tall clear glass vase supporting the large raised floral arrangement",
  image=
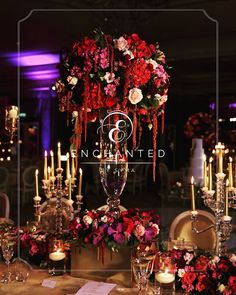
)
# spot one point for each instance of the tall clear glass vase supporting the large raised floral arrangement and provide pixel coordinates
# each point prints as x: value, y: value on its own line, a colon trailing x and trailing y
x: 113, y: 157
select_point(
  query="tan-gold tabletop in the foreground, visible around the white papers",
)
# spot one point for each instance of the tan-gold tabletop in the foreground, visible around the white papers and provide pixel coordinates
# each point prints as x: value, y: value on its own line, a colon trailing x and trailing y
x: 65, y: 285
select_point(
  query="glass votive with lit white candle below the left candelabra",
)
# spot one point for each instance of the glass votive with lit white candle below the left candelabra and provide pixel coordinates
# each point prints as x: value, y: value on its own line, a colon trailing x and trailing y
x: 57, y: 257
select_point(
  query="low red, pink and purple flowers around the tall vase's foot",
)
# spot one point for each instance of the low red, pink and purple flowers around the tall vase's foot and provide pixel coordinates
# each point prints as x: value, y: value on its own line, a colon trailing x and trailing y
x: 100, y: 228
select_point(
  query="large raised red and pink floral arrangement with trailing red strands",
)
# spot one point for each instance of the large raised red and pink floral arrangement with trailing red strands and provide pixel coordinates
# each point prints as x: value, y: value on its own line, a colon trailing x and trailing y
x: 125, y: 73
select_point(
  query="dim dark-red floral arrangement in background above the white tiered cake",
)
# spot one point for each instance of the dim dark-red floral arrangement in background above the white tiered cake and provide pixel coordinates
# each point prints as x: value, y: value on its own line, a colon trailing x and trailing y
x: 201, y: 125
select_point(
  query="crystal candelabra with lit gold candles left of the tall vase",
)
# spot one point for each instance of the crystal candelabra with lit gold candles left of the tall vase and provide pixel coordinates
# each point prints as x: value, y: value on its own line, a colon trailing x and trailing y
x: 55, y: 188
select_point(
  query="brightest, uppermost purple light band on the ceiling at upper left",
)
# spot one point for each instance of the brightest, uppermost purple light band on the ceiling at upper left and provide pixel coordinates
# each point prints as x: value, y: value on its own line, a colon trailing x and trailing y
x: 31, y: 58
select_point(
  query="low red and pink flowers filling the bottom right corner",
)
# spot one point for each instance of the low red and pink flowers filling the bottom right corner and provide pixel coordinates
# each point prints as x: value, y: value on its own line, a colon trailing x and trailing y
x: 205, y: 275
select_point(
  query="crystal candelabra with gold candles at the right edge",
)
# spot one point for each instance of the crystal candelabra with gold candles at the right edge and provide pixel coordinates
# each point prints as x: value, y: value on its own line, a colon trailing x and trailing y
x: 218, y: 198
